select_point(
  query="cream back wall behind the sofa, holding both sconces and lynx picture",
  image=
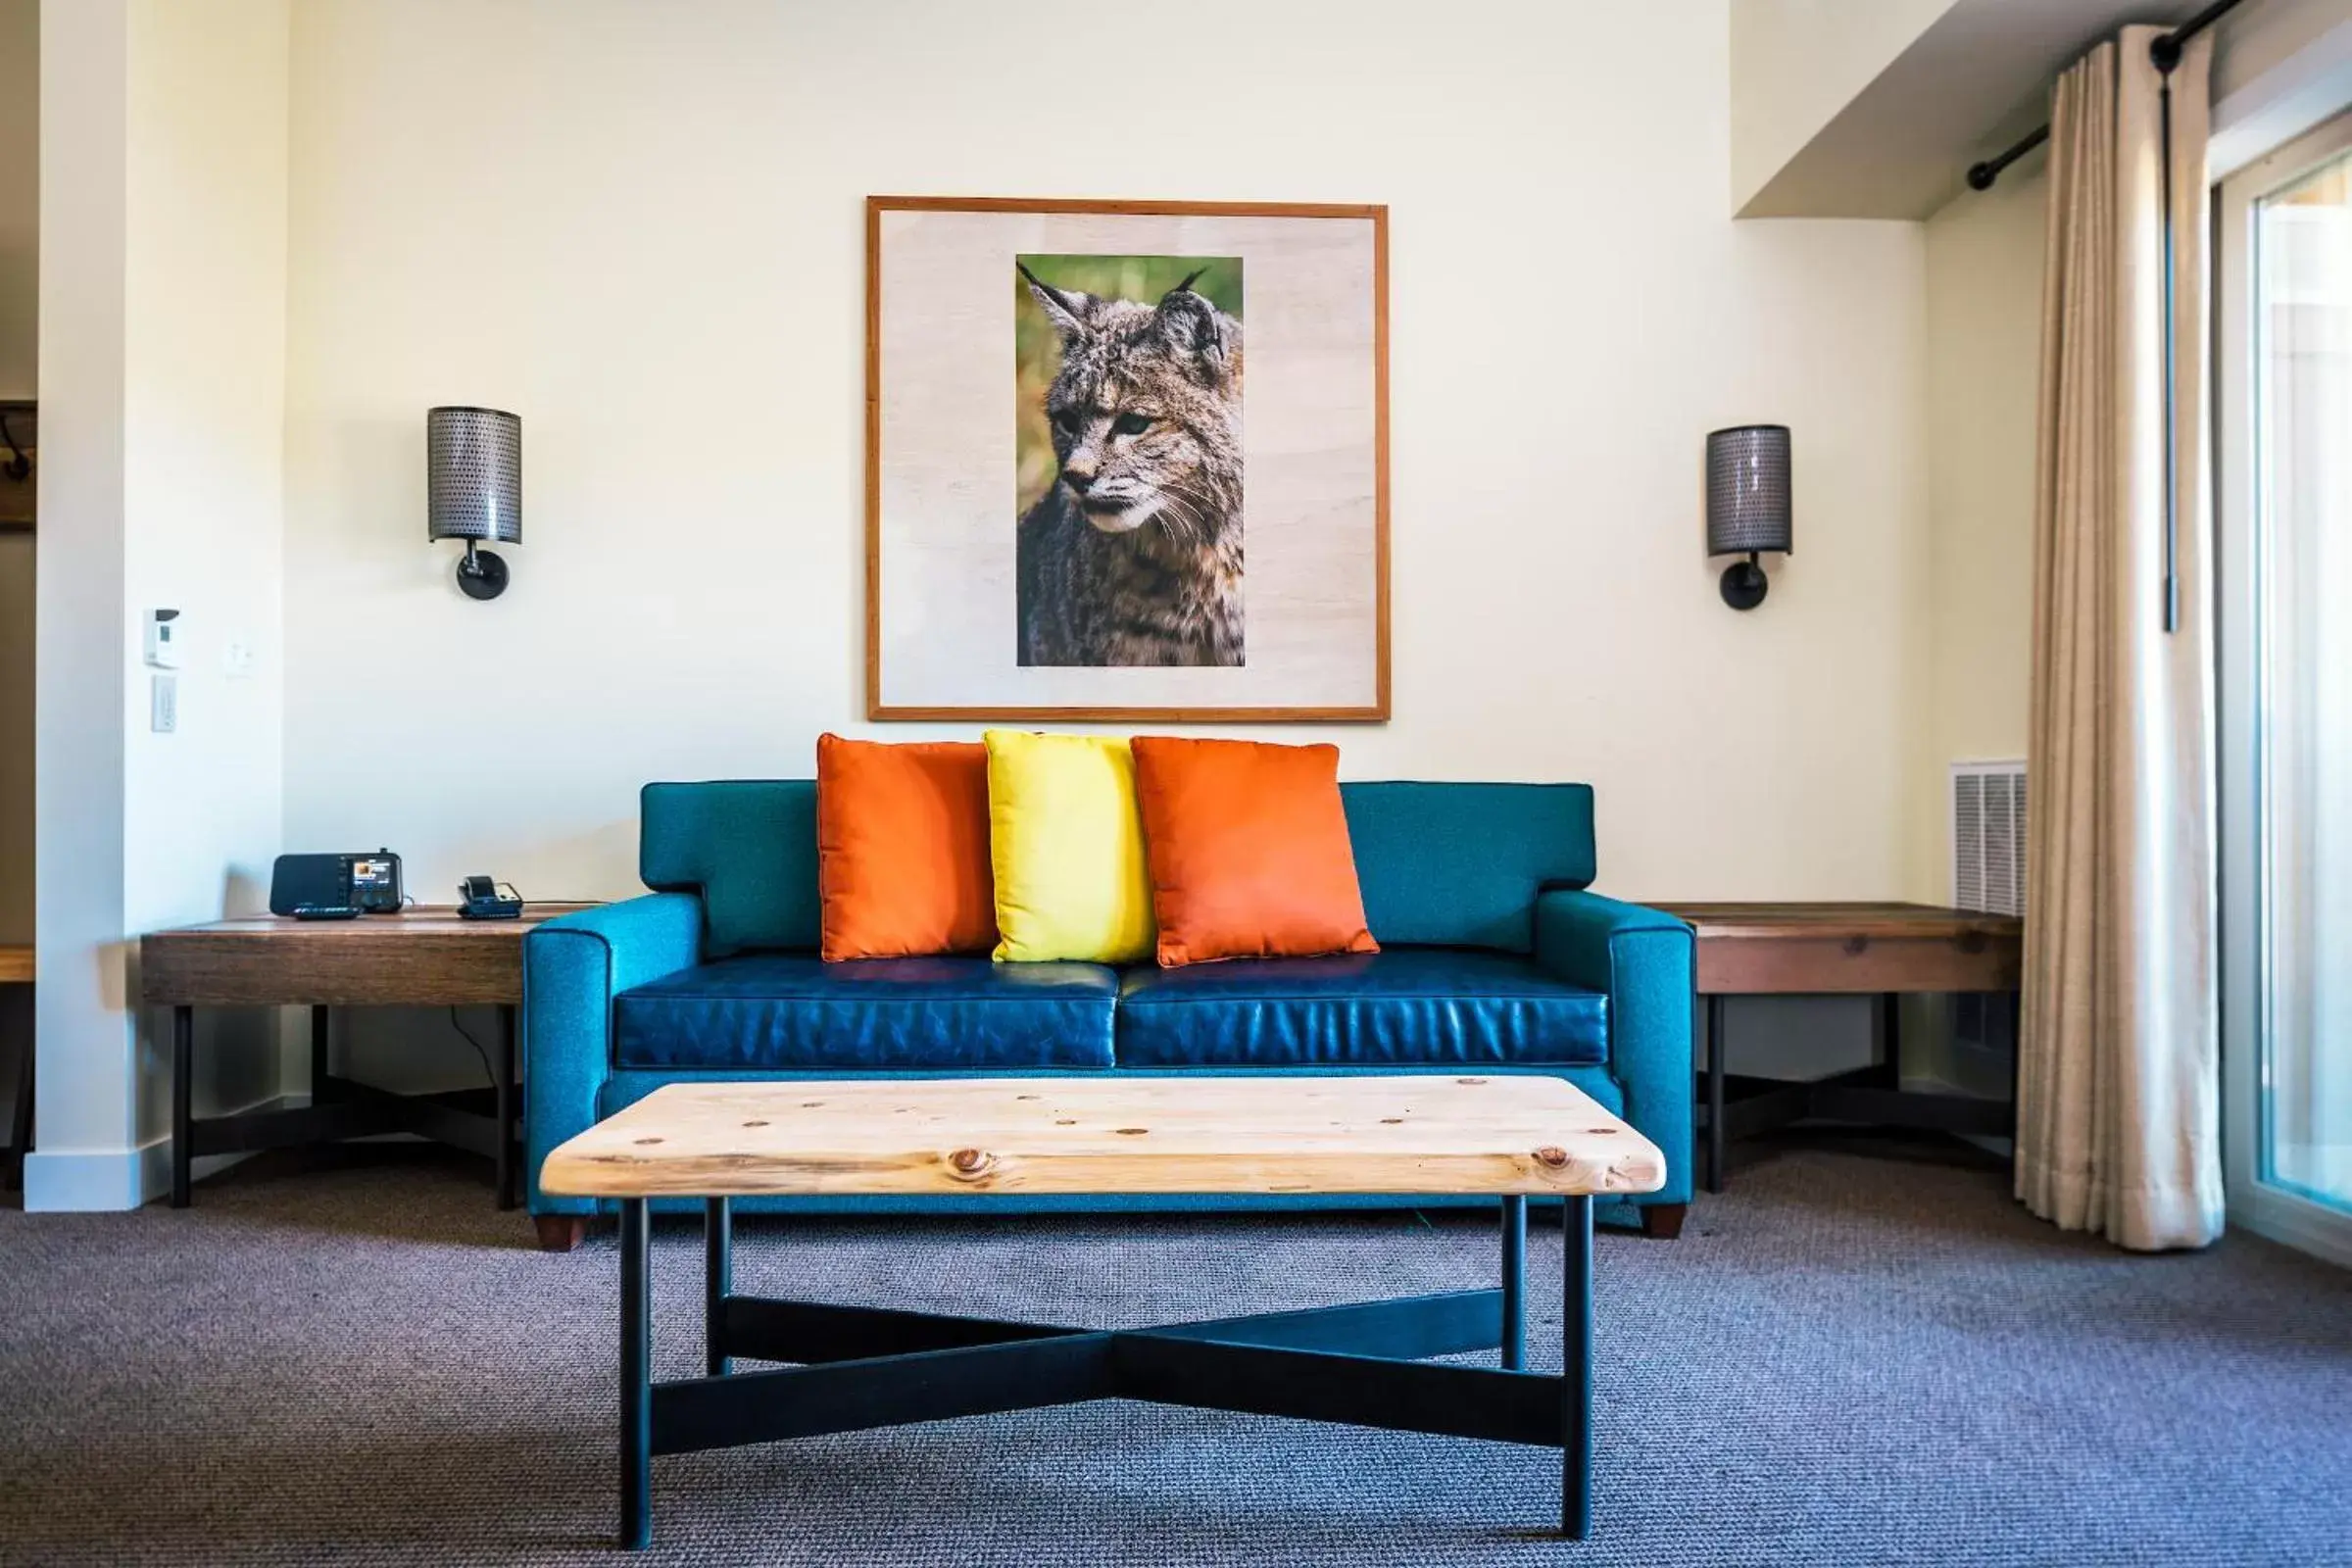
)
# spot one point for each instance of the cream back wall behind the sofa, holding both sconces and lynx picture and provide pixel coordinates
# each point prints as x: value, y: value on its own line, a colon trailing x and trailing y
x: 641, y: 229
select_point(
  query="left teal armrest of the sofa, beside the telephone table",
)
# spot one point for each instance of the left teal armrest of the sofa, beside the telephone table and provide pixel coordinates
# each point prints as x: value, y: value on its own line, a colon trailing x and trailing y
x: 573, y: 967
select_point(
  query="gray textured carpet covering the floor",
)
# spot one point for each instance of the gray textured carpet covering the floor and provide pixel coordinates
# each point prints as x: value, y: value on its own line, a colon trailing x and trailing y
x: 1843, y: 1362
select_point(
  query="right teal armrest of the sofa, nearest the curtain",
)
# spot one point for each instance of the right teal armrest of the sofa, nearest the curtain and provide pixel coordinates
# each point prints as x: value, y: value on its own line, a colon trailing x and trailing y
x: 1650, y: 967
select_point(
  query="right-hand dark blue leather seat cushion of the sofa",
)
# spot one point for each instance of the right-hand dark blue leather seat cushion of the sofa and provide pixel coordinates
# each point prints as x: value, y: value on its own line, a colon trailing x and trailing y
x: 1408, y: 1007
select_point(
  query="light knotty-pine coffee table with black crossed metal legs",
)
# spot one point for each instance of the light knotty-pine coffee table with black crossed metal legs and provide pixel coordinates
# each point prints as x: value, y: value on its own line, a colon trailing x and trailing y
x: 869, y: 1367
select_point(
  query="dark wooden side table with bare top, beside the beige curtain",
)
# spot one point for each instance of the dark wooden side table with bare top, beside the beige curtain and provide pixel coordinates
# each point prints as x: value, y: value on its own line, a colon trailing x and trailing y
x: 1845, y: 949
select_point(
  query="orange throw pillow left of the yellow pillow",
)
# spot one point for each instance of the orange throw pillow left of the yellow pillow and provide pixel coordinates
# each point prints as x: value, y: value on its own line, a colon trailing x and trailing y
x: 902, y: 850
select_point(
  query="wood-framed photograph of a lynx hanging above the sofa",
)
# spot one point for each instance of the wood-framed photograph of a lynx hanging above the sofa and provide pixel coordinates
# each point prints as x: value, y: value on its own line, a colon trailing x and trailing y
x: 1125, y: 462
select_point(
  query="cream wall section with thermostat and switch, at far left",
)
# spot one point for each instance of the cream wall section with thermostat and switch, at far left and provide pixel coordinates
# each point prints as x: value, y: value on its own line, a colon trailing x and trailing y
x: 163, y: 413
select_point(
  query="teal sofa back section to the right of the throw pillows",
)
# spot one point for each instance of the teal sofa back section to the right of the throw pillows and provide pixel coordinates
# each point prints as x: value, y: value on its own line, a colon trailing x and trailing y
x: 1462, y: 864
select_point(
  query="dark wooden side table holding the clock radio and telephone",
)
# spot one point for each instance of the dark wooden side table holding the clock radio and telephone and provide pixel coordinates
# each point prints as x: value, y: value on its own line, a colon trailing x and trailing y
x: 417, y: 958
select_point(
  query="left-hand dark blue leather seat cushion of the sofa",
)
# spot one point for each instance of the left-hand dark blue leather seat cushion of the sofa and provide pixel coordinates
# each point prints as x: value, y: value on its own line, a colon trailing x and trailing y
x: 784, y: 1010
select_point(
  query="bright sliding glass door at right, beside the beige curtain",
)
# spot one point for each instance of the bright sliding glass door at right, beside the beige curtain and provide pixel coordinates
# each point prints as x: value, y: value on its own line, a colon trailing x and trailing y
x: 2285, y: 471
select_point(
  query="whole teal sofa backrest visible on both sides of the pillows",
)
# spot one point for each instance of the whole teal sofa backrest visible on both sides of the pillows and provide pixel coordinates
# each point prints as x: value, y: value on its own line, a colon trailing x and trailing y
x: 1441, y: 864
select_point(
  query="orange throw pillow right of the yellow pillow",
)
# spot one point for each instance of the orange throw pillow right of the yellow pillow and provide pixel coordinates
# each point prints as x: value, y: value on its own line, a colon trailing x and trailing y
x: 1248, y: 847
